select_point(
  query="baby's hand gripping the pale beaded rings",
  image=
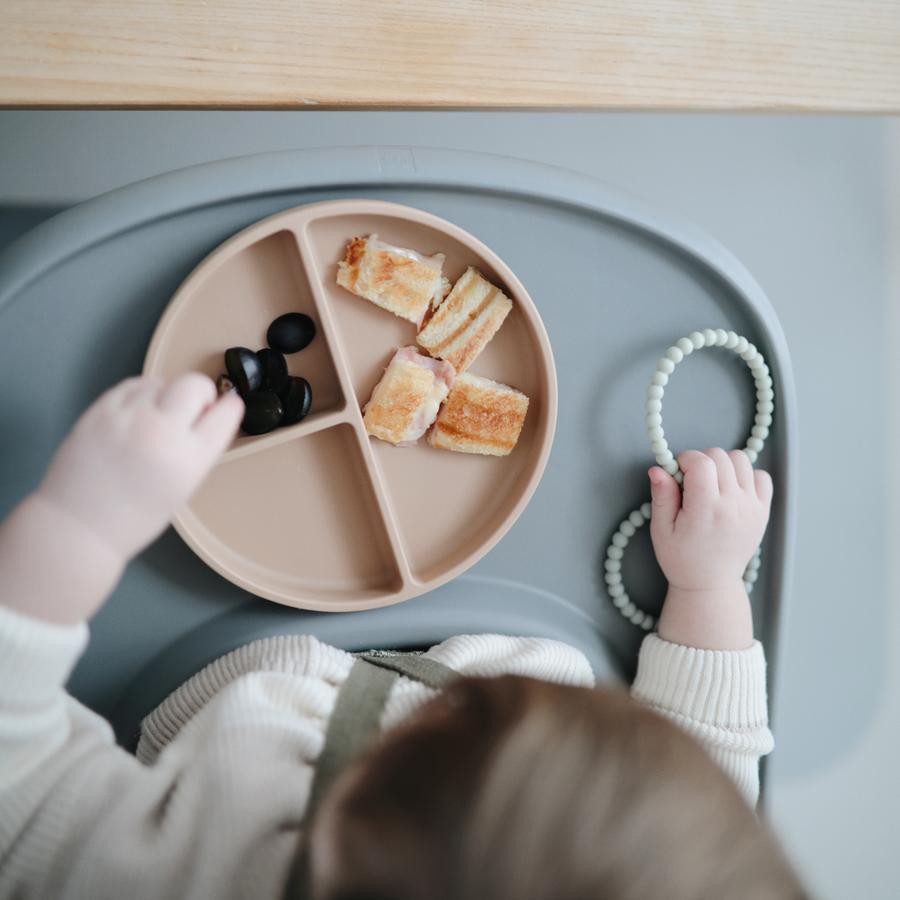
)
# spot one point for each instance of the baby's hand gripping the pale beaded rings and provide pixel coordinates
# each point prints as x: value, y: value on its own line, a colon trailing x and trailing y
x: 705, y: 536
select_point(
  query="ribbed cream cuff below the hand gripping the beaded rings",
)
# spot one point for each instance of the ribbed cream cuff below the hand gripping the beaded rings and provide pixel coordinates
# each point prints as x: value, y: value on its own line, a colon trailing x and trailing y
x: 724, y: 688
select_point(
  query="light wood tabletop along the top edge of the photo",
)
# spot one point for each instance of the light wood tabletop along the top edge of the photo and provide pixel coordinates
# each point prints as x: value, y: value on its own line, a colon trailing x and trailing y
x: 755, y: 54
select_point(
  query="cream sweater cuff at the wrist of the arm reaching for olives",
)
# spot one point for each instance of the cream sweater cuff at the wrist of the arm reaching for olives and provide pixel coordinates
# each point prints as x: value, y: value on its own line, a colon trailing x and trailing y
x: 36, y: 657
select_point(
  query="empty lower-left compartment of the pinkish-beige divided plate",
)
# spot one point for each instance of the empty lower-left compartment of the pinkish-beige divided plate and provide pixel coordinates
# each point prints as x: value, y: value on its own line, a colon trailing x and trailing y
x: 296, y: 521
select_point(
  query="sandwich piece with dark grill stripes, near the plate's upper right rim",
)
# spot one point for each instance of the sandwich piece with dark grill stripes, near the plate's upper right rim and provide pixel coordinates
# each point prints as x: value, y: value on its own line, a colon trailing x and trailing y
x: 468, y: 318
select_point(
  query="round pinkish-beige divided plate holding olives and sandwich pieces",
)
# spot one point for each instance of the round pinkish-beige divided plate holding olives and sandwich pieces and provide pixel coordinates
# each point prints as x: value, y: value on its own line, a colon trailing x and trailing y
x: 318, y: 515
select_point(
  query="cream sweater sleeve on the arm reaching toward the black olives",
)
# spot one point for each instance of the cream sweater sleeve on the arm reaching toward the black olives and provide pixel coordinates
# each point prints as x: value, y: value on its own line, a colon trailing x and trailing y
x: 80, y: 817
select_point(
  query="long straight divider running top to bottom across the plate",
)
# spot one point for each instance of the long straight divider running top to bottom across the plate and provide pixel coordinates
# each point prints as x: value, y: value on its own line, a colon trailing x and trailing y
x: 352, y: 413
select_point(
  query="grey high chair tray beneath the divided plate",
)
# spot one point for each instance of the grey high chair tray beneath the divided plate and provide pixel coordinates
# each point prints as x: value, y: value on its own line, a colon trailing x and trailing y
x: 616, y: 283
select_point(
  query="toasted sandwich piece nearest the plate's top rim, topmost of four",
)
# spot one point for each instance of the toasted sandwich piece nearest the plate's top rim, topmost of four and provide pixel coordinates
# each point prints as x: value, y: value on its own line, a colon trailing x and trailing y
x: 396, y: 279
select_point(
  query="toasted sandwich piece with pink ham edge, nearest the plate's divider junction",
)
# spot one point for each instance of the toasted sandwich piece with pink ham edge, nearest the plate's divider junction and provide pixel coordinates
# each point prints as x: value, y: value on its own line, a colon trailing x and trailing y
x: 406, y: 400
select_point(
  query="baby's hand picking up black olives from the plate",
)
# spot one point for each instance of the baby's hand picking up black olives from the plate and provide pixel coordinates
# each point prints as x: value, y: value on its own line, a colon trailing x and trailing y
x: 137, y: 454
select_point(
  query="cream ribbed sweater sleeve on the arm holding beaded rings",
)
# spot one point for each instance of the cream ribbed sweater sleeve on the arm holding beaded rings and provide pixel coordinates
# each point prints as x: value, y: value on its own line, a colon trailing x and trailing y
x: 718, y: 696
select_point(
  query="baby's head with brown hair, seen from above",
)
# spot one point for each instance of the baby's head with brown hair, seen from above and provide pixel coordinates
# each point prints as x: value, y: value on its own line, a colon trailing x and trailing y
x: 514, y: 788
